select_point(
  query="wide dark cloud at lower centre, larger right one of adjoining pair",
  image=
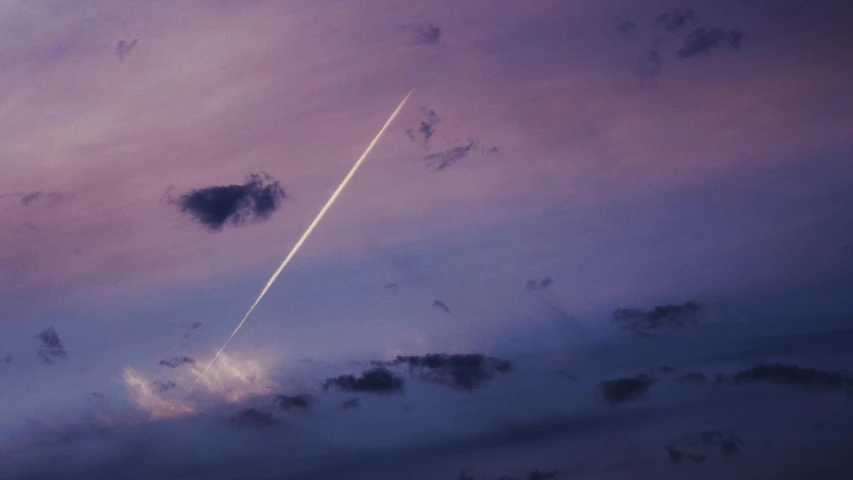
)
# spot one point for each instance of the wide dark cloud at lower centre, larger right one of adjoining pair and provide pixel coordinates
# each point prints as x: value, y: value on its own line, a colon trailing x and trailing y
x: 458, y: 371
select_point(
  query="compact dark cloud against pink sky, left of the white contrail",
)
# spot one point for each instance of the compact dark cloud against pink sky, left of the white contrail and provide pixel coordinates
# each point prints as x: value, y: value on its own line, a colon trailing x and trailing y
x: 215, y: 206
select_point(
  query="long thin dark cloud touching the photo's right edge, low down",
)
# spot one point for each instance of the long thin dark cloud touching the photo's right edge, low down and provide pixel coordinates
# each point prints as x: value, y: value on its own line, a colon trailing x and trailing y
x: 794, y: 376
